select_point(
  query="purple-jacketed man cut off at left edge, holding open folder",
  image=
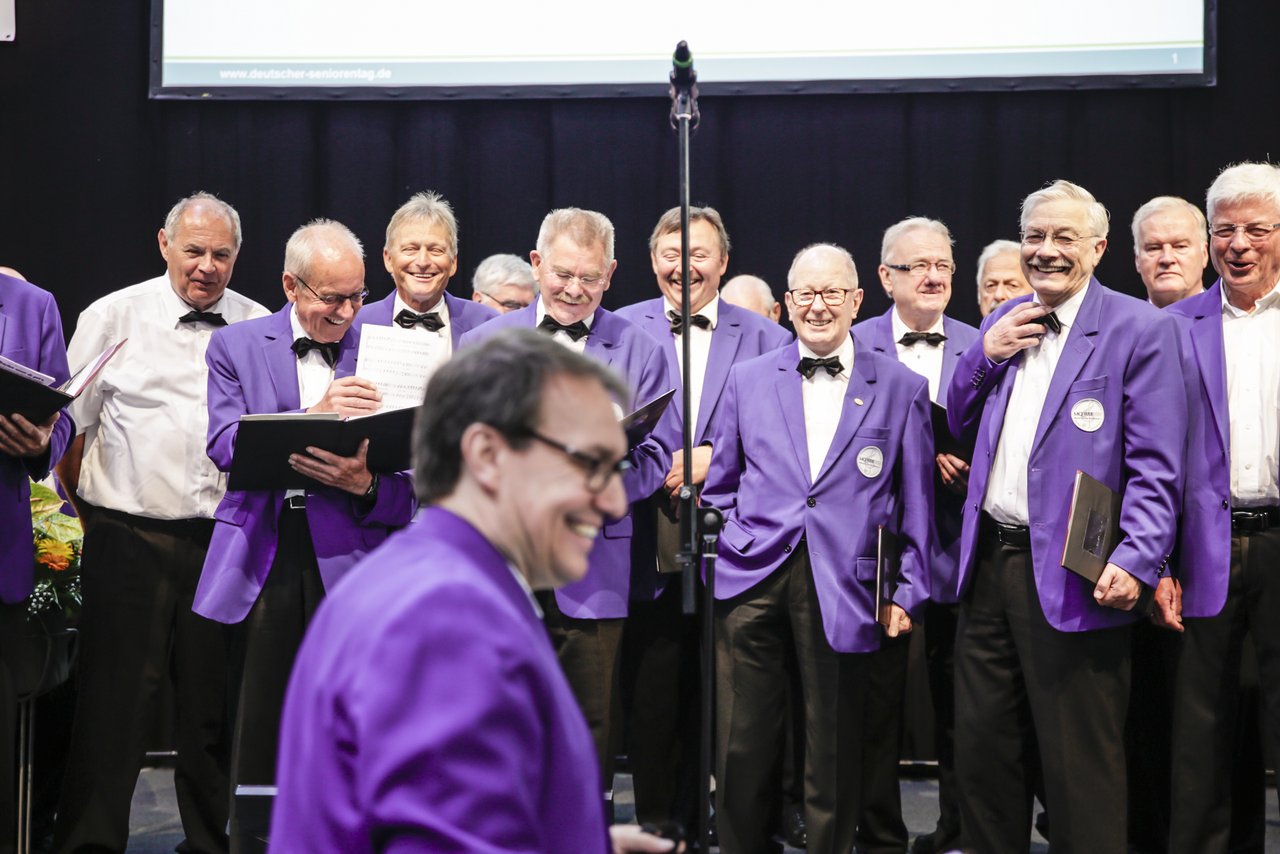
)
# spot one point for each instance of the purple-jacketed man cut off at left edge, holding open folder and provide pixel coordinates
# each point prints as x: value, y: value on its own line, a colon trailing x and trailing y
x: 31, y: 335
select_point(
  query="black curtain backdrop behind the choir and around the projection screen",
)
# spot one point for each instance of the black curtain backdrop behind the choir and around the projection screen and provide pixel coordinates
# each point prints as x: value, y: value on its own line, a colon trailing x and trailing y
x: 89, y: 166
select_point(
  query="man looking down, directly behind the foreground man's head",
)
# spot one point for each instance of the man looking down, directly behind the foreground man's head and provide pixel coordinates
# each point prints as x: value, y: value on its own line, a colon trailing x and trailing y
x: 574, y: 264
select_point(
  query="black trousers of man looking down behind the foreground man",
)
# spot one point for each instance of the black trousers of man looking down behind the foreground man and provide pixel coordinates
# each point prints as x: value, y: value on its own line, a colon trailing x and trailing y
x: 589, y: 652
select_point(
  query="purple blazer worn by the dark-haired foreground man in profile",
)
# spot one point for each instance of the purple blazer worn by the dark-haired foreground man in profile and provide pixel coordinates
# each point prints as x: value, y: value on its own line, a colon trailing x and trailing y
x: 428, y: 713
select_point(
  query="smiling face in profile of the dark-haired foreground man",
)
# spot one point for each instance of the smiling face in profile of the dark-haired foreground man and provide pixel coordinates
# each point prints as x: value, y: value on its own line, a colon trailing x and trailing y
x: 552, y: 519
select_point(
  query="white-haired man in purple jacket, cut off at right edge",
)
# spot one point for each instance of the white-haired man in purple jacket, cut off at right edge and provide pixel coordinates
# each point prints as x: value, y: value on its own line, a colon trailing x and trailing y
x: 1229, y: 540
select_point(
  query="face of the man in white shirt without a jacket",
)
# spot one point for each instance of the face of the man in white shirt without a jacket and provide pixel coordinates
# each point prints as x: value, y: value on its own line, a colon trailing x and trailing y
x: 202, y: 255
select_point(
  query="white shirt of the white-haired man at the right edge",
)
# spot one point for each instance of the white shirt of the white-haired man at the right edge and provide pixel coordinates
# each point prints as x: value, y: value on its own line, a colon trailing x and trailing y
x: 1250, y: 341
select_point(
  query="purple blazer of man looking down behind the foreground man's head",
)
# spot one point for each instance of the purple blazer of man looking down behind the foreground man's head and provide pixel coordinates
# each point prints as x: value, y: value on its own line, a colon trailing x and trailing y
x: 638, y: 359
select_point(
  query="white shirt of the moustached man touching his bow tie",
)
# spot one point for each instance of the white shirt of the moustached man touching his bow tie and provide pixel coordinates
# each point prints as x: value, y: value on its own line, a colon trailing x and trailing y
x: 1007, y: 490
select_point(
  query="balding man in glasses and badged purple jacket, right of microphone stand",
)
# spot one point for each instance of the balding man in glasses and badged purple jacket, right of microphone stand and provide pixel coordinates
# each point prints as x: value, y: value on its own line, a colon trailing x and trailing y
x: 819, y: 445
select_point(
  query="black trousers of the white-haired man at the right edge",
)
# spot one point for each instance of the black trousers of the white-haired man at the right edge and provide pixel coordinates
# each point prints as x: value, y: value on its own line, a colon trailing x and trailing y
x: 1206, y: 695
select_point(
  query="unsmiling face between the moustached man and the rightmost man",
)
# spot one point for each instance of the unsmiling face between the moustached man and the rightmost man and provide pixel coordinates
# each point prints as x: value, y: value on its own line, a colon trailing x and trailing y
x: 1171, y: 255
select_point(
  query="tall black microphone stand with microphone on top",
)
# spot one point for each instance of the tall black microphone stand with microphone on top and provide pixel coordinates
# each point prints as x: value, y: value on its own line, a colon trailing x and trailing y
x: 684, y: 118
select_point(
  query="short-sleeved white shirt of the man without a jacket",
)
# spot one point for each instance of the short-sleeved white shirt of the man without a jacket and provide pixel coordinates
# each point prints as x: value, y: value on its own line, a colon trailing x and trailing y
x: 147, y: 419
